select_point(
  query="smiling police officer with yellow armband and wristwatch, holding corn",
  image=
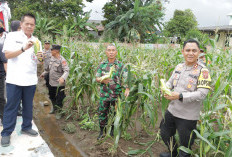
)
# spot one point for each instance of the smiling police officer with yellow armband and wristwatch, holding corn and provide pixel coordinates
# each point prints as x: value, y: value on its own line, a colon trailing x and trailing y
x: 190, y: 83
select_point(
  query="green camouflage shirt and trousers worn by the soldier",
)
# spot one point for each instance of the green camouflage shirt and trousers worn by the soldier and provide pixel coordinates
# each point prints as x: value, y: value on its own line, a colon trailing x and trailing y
x: 110, y: 92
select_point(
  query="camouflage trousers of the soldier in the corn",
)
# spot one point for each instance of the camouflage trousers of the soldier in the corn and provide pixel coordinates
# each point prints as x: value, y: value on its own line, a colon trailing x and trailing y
x: 104, y: 109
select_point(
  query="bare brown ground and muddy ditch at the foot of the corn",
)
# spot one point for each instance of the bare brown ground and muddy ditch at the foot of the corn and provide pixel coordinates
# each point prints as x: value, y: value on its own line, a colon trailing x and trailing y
x: 84, y: 142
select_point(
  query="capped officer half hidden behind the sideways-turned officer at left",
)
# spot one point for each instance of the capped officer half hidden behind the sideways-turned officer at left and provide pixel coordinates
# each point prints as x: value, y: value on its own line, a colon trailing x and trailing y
x: 47, y: 57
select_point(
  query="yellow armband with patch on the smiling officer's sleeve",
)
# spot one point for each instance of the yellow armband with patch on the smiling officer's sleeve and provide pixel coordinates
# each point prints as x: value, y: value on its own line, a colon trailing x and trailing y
x: 204, y: 79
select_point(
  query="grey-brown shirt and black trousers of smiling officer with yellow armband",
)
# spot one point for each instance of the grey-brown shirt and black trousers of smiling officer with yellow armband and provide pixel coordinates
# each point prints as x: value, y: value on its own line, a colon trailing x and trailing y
x: 182, y: 115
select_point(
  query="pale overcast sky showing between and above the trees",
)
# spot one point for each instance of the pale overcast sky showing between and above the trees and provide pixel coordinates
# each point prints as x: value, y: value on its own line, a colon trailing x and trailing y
x: 207, y: 12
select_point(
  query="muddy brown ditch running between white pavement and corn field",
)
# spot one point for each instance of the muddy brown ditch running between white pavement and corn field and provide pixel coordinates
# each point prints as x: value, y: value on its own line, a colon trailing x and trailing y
x: 49, y: 129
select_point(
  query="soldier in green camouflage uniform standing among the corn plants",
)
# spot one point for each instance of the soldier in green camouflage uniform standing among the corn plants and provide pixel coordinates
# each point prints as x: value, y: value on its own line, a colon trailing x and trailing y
x: 110, y: 88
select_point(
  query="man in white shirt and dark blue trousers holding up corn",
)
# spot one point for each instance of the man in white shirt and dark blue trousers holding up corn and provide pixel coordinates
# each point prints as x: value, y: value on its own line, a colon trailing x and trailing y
x: 21, y: 78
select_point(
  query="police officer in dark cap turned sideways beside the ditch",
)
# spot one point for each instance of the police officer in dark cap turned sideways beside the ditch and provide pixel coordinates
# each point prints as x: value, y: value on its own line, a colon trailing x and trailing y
x: 58, y: 71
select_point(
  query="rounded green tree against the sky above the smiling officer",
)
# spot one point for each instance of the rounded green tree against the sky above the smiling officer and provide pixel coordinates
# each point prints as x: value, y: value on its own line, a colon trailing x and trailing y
x: 181, y: 23
